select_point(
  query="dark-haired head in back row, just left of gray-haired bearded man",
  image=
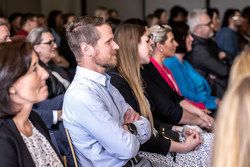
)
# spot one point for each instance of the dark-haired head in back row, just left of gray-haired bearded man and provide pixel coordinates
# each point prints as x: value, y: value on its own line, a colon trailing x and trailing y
x: 178, y: 13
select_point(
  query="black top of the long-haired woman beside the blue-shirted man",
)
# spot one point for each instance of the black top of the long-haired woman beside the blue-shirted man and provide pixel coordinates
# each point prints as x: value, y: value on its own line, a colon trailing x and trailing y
x: 154, y: 144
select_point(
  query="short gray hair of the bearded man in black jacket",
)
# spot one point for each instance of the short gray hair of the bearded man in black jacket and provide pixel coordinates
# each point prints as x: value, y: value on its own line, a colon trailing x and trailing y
x: 194, y: 18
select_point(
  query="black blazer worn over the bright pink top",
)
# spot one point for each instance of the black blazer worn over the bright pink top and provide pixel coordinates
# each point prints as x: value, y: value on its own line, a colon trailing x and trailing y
x: 164, y: 99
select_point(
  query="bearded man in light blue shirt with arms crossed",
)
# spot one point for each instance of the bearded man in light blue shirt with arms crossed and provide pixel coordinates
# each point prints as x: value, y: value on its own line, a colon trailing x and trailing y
x: 104, y: 129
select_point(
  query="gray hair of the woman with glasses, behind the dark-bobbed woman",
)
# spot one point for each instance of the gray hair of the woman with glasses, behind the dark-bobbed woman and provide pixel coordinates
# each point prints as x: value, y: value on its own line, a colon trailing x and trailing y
x: 35, y: 35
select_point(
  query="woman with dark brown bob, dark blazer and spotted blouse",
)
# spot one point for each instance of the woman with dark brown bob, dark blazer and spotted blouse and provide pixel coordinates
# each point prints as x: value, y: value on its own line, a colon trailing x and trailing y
x: 24, y: 138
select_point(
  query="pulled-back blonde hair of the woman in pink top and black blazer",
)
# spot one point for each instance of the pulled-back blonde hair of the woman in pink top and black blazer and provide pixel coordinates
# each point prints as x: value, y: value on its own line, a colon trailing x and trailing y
x: 159, y: 33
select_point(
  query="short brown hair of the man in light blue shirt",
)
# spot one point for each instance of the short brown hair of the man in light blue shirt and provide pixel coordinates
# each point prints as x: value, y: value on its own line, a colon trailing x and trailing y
x: 83, y: 29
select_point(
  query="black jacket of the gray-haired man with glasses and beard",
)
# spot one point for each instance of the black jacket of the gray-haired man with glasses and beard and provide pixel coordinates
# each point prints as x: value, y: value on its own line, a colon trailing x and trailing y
x: 204, y: 57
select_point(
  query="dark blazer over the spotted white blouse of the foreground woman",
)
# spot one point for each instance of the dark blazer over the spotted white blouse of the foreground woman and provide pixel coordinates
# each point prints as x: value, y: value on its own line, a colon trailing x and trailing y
x: 13, y: 150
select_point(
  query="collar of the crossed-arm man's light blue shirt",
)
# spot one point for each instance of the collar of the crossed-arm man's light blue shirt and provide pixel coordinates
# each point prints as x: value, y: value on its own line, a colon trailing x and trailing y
x: 103, y: 79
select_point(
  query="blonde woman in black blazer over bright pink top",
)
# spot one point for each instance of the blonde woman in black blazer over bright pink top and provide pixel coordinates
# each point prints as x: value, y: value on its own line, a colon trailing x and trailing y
x: 170, y: 106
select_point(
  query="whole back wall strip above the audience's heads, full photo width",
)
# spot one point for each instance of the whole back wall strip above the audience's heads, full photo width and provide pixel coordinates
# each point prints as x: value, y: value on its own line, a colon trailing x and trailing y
x: 126, y: 8
